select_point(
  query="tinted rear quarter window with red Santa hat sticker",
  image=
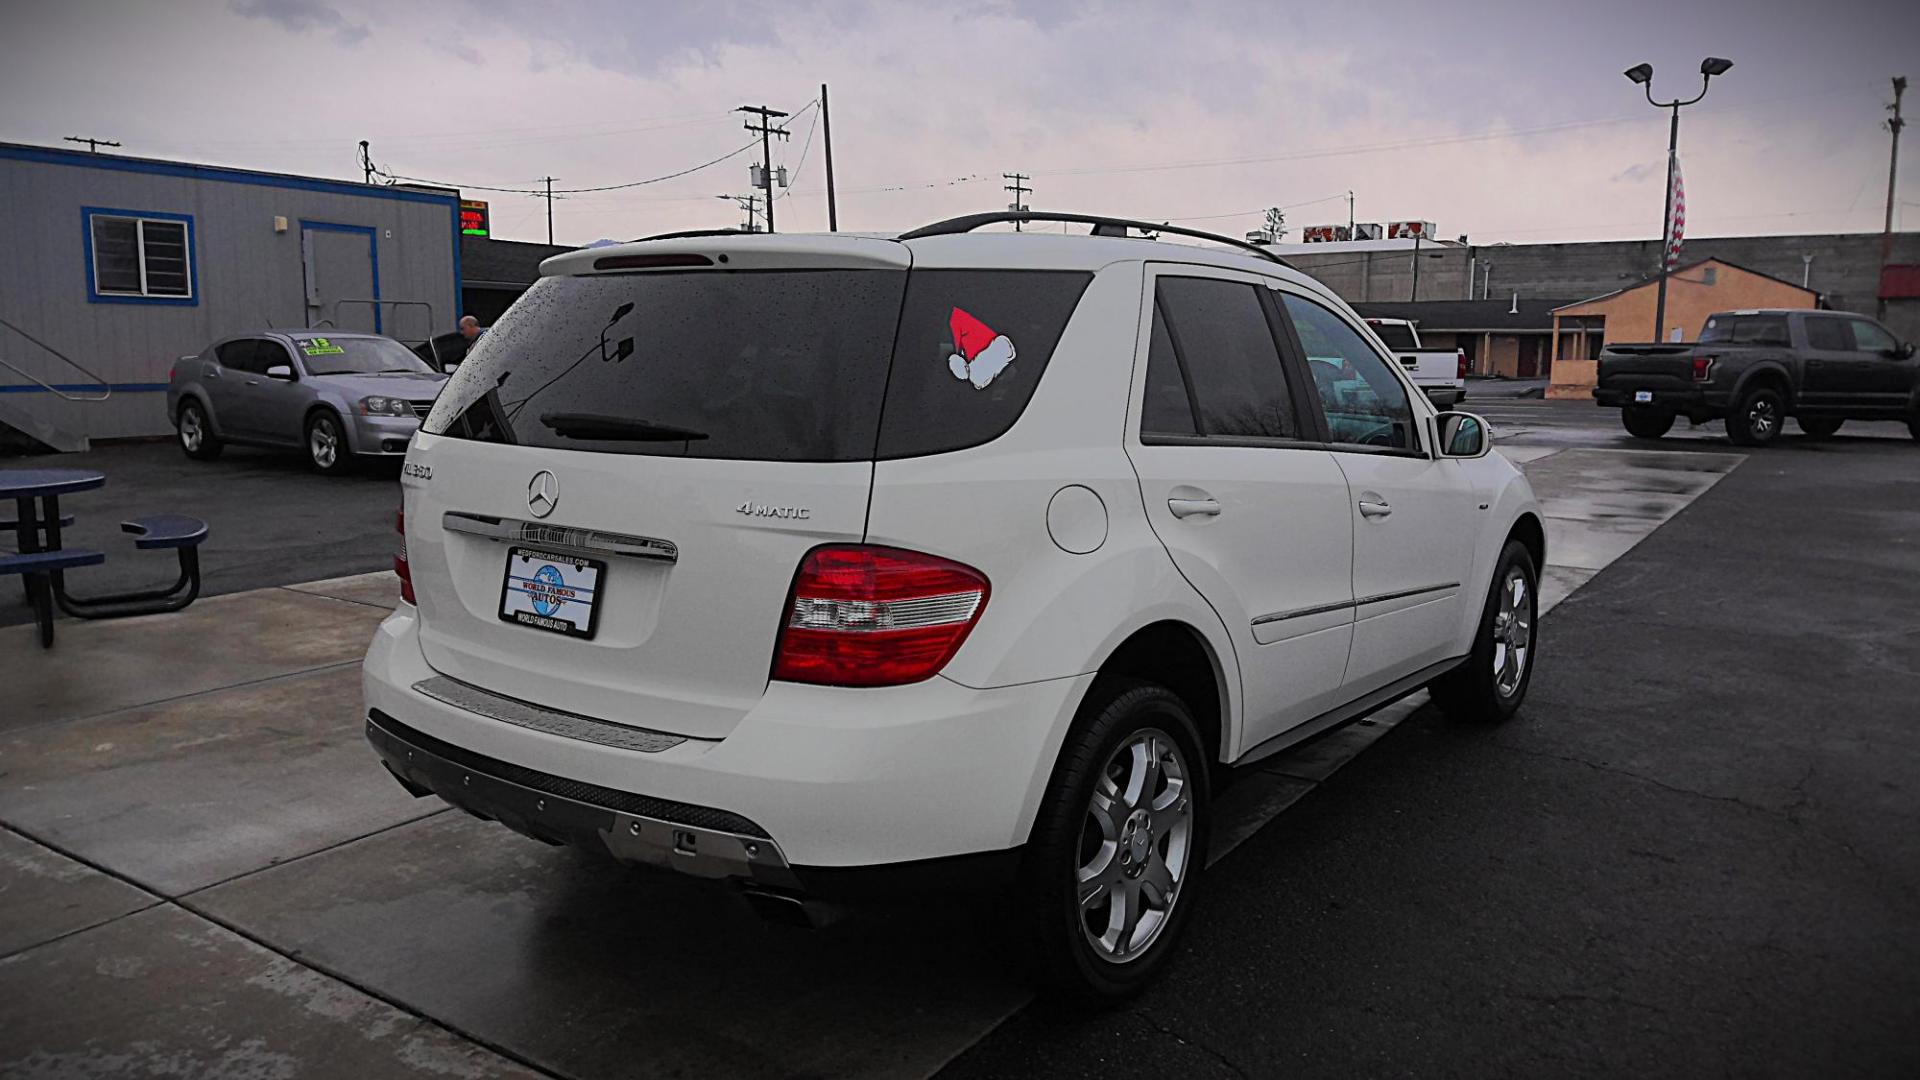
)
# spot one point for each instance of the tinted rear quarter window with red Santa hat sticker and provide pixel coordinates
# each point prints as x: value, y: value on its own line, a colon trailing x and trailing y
x: 971, y: 353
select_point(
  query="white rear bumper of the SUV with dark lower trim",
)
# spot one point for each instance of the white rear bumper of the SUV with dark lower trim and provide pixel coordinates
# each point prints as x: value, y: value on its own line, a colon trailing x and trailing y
x: 817, y: 789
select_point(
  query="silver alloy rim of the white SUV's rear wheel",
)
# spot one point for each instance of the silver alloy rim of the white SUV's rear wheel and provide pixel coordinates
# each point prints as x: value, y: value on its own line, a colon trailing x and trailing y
x: 1136, y: 847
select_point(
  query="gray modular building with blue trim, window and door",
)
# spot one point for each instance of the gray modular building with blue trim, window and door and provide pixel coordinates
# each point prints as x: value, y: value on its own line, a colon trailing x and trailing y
x: 118, y: 266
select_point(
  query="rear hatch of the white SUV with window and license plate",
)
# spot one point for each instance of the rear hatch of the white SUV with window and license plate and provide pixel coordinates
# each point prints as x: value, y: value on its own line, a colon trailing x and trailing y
x: 665, y: 435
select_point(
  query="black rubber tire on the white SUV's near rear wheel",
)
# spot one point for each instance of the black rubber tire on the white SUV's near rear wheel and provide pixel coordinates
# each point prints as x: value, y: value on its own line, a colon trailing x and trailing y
x: 1115, y: 716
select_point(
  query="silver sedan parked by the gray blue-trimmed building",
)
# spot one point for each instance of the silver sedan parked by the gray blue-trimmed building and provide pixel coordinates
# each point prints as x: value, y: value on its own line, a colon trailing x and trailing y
x: 331, y: 395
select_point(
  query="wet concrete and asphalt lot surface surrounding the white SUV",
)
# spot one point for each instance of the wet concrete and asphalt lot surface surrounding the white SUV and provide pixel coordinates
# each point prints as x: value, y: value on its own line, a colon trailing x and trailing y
x: 1694, y: 850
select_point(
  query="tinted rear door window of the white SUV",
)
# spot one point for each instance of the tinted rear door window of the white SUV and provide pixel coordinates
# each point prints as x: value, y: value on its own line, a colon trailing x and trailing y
x: 1214, y: 366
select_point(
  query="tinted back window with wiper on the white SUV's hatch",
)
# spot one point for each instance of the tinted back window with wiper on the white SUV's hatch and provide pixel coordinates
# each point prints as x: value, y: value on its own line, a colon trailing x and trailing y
x: 773, y: 366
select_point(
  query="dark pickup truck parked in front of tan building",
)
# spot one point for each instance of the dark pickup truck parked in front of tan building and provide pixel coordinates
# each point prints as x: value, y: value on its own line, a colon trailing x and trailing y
x: 1760, y: 368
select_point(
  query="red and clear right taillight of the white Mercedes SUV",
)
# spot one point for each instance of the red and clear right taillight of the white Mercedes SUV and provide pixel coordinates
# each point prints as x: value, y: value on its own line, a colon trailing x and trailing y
x: 867, y: 616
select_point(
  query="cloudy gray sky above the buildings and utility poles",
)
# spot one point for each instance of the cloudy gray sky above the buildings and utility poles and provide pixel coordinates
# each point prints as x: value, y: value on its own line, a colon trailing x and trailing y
x: 1500, y: 120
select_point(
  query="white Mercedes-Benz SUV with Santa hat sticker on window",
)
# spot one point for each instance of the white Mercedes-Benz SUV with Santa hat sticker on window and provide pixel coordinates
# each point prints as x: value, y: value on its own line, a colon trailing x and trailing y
x: 836, y: 564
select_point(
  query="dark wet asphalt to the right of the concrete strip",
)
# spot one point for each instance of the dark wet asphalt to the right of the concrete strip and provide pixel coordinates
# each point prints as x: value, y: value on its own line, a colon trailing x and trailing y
x: 1694, y: 852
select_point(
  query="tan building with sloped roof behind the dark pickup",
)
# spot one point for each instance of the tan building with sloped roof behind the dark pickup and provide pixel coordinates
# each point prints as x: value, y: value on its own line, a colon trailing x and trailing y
x: 1627, y: 316
